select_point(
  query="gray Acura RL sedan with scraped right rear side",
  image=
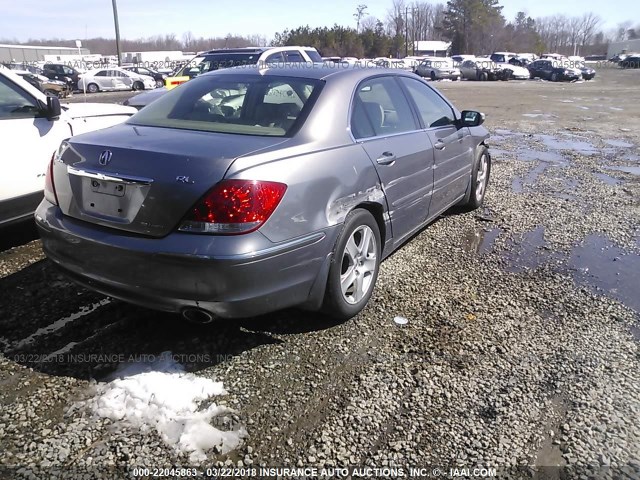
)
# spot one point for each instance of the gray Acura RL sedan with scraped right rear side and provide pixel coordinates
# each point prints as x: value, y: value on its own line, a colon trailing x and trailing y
x: 248, y: 190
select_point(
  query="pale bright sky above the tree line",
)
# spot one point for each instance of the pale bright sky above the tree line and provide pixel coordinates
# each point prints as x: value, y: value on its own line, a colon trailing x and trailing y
x: 73, y: 19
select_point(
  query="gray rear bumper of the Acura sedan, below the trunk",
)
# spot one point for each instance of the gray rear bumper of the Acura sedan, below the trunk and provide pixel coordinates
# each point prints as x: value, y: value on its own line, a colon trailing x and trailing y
x: 179, y: 271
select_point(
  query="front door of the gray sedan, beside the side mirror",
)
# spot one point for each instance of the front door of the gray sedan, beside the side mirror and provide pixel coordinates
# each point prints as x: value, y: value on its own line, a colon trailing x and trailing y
x: 453, y: 146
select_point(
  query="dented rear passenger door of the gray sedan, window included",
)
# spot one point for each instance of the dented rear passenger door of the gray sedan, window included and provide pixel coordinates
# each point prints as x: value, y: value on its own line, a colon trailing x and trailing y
x: 383, y: 123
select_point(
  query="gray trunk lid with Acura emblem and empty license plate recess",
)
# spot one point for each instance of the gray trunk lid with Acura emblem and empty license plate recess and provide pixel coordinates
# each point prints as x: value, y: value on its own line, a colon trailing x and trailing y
x: 151, y: 177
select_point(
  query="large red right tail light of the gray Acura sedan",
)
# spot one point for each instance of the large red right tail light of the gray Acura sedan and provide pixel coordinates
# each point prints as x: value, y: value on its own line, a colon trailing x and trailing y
x: 234, y: 206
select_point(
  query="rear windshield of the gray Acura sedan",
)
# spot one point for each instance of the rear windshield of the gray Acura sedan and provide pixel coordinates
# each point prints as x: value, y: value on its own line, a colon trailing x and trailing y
x: 239, y: 104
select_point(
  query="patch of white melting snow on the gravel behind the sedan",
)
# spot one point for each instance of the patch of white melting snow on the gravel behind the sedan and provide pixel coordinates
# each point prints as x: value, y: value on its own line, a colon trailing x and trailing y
x: 160, y: 395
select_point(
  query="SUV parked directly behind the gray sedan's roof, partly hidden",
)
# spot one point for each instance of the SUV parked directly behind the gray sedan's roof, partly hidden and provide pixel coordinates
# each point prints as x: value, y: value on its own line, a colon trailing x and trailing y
x: 233, y: 57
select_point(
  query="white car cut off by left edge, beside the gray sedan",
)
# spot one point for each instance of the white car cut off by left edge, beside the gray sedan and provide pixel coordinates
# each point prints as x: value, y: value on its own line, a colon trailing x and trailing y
x: 32, y: 126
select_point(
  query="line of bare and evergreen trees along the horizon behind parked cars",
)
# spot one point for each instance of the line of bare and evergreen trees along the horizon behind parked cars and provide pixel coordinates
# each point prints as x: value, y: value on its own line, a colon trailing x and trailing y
x: 472, y: 26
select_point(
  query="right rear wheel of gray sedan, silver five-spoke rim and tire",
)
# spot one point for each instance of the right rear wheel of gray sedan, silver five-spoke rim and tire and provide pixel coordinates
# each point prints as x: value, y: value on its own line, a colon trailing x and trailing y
x: 354, y: 267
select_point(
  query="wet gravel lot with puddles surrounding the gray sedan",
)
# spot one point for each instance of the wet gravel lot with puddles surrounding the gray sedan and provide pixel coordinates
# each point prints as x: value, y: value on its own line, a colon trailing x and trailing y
x: 520, y: 352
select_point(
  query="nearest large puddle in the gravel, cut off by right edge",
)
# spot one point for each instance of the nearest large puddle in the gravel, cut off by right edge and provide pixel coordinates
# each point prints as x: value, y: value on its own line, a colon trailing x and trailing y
x: 604, y: 267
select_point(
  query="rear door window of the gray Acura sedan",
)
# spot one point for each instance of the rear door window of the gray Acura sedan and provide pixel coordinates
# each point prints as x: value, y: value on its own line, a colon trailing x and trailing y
x: 380, y: 108
